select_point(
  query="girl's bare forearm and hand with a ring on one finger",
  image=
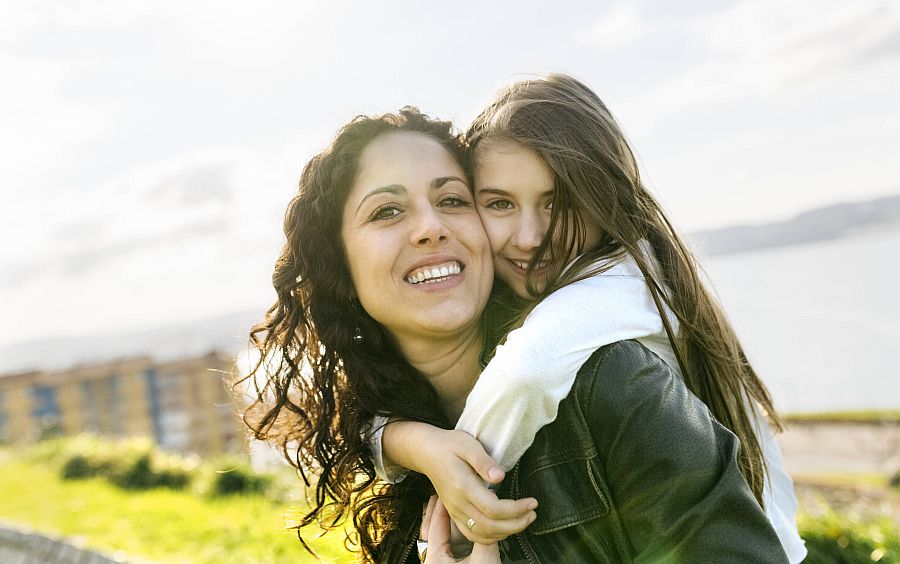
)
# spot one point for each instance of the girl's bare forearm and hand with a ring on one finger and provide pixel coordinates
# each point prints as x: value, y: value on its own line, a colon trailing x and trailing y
x: 458, y: 467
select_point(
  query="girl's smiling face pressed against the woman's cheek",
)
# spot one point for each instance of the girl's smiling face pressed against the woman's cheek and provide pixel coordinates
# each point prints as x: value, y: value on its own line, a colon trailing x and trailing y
x: 514, y: 194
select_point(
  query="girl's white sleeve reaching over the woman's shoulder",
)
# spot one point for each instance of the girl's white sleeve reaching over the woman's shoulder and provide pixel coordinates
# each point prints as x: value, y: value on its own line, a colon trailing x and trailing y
x: 520, y: 389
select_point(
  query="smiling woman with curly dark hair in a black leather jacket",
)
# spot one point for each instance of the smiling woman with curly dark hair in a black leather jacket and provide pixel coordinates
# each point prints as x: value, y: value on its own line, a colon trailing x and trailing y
x: 381, y: 285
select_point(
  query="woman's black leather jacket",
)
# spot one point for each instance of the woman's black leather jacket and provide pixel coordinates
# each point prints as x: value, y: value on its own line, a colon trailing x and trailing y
x: 635, y: 469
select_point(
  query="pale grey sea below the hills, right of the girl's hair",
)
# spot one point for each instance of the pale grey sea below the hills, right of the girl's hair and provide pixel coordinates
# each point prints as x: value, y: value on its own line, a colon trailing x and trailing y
x: 820, y: 322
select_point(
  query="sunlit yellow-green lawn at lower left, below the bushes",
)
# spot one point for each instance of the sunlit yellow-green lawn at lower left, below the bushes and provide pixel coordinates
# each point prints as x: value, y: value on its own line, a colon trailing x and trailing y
x: 160, y: 524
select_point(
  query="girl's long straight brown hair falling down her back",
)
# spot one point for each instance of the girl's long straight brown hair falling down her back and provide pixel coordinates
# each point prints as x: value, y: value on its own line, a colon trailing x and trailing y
x: 597, y: 180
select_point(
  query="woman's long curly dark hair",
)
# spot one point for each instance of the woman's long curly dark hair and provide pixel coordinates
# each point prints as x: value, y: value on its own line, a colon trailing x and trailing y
x: 325, y: 367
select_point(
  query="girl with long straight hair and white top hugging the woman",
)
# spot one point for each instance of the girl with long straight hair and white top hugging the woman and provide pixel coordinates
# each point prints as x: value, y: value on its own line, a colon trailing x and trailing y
x: 548, y: 157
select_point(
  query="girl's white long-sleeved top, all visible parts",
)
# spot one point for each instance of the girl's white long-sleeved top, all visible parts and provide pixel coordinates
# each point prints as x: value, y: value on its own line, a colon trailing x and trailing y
x: 520, y: 389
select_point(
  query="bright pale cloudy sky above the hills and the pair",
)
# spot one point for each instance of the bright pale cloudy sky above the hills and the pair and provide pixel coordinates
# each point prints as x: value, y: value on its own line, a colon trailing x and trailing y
x: 149, y: 148
